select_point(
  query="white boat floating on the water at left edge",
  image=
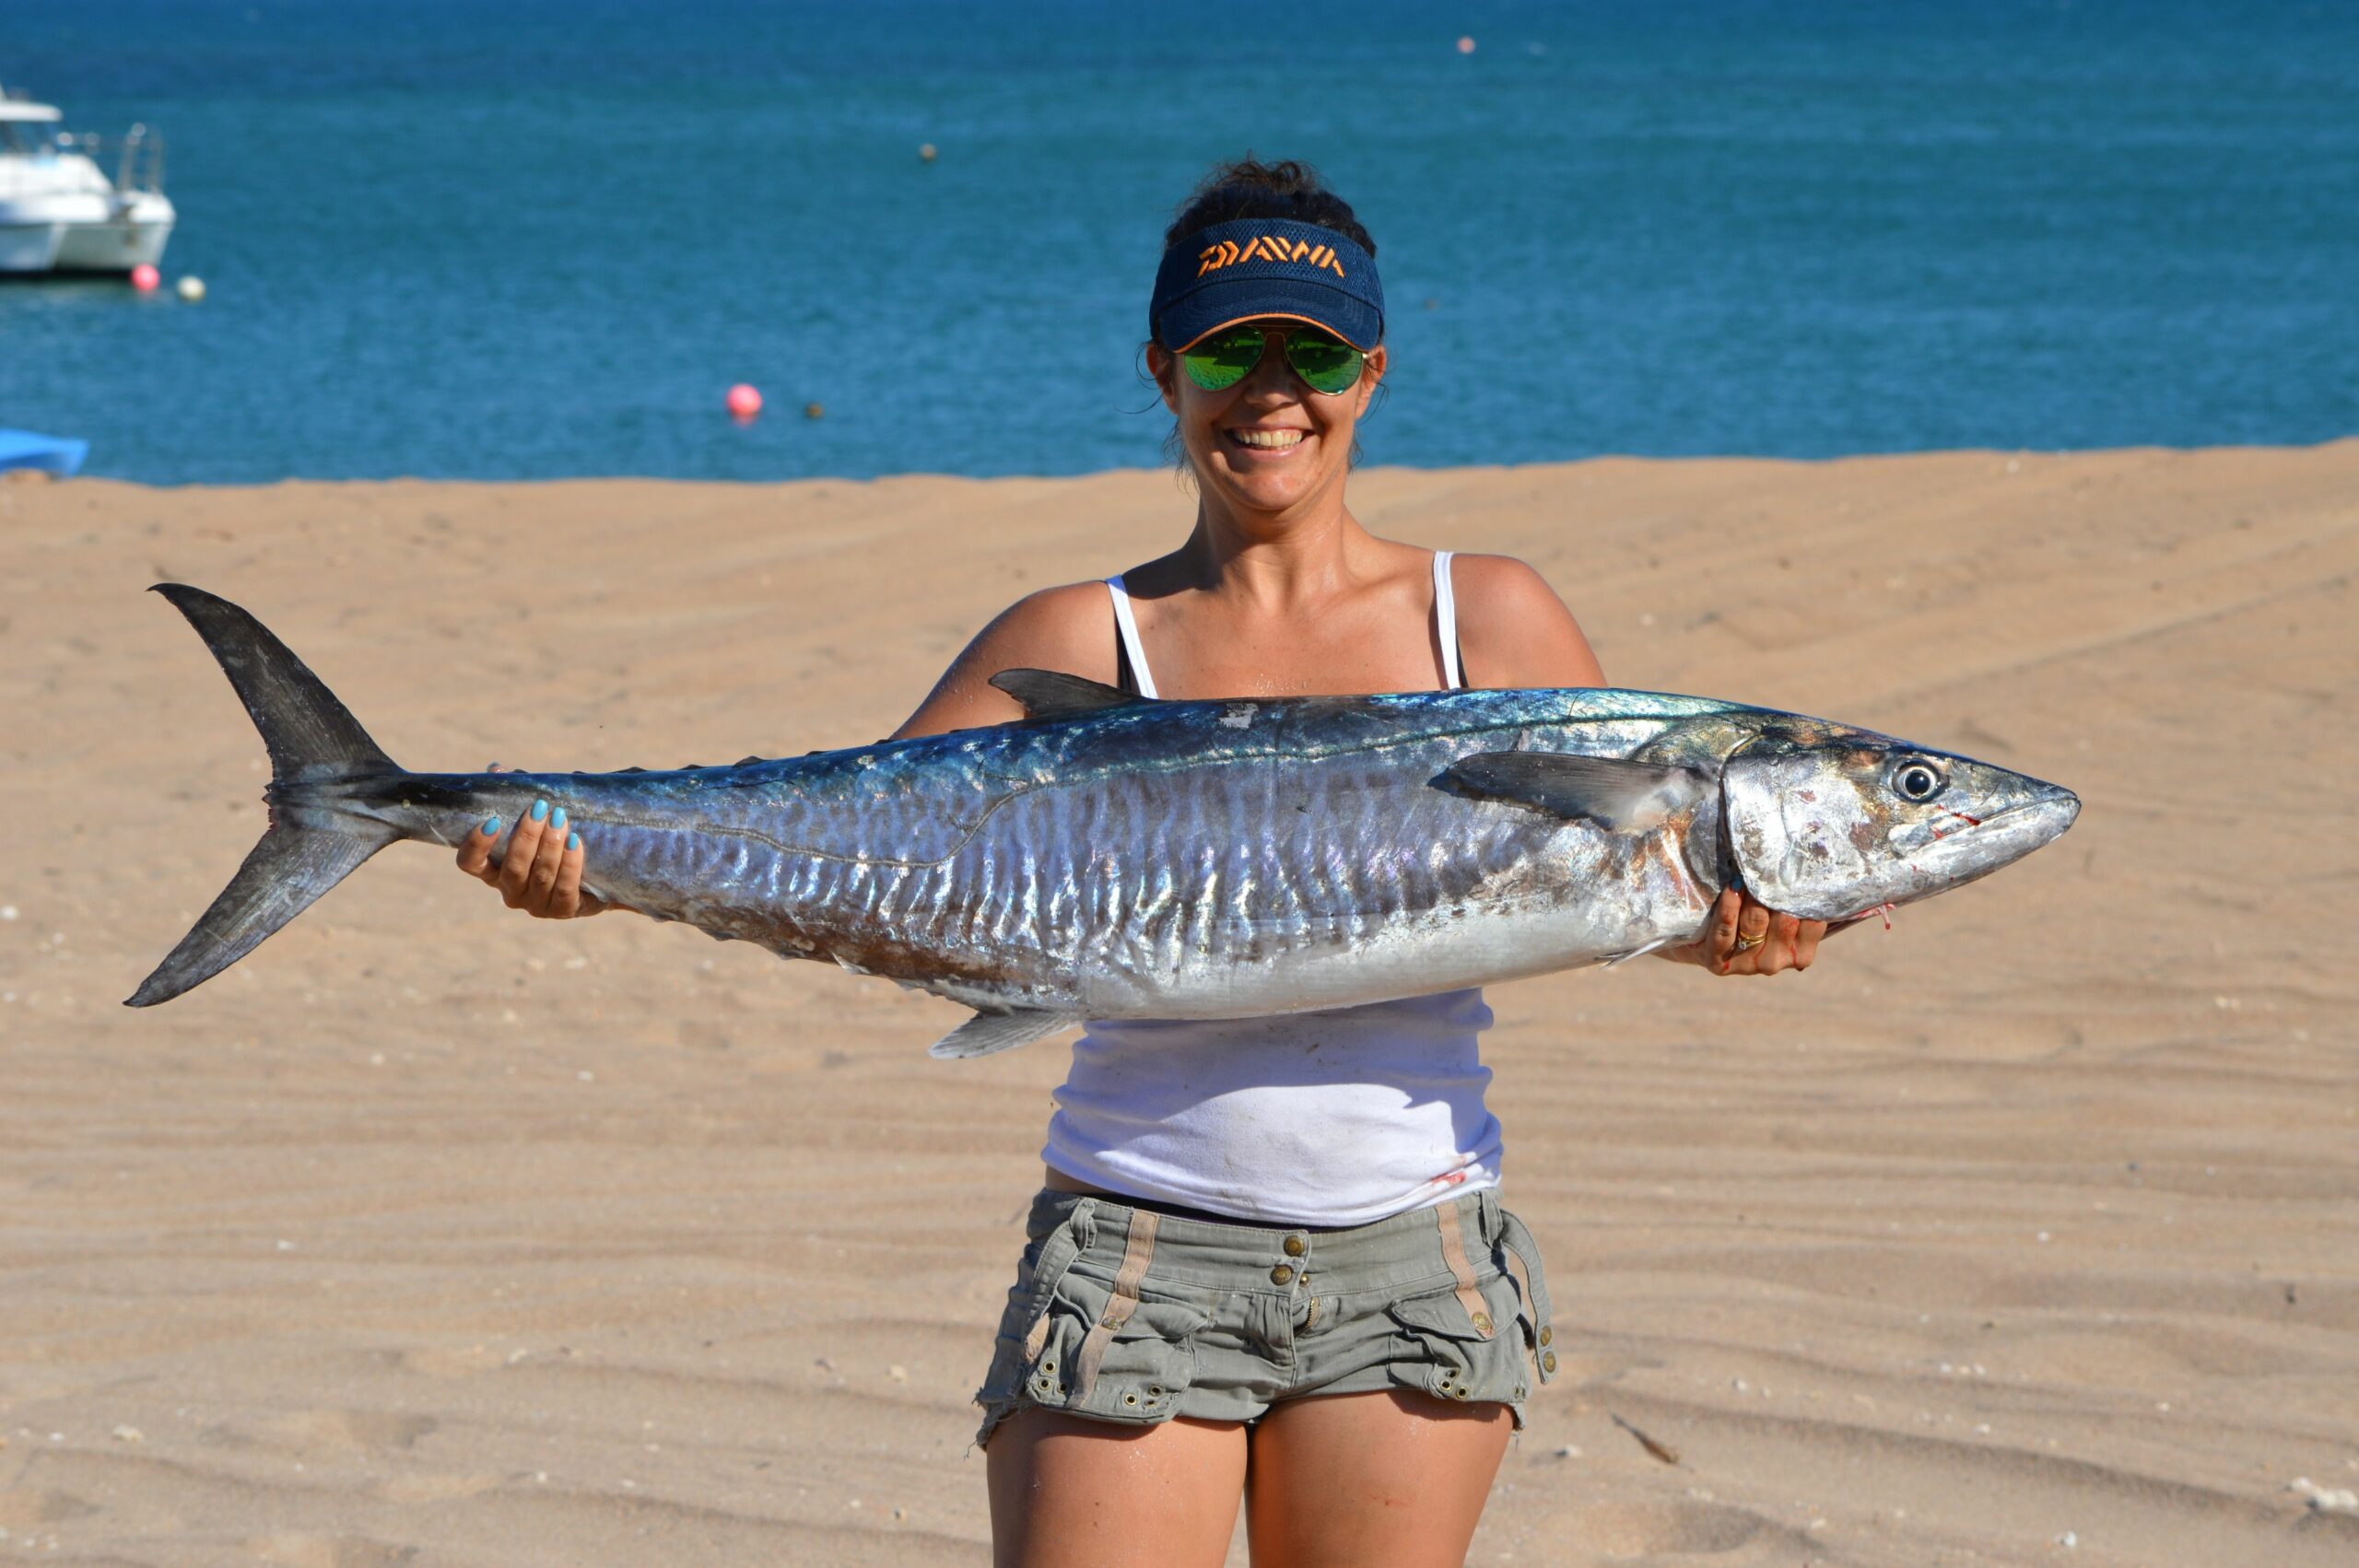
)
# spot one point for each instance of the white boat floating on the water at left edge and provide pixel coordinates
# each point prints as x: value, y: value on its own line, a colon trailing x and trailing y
x: 58, y: 206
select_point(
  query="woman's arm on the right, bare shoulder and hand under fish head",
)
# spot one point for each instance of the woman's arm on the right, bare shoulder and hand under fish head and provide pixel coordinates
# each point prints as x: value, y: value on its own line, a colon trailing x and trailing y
x: 1516, y: 631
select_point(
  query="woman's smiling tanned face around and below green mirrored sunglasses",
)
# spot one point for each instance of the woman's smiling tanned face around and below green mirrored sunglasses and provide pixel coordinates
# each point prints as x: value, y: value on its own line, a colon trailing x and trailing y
x: 1270, y: 442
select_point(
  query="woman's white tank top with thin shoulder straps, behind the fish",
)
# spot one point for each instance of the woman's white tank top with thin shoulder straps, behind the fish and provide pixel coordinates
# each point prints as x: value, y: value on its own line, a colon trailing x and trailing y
x: 1329, y: 1119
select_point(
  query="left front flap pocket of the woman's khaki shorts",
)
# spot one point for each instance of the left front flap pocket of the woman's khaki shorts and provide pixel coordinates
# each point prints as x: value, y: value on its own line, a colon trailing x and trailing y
x: 1129, y: 1373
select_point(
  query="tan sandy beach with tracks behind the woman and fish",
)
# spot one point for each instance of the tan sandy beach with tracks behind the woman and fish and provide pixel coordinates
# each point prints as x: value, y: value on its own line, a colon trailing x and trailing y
x: 431, y: 1234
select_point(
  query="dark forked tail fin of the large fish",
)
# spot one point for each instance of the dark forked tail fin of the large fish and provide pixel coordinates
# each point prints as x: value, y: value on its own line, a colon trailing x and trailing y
x: 305, y: 852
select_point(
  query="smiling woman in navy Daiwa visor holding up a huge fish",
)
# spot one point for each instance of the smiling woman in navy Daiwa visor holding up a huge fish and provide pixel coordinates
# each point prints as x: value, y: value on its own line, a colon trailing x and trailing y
x: 1266, y: 1249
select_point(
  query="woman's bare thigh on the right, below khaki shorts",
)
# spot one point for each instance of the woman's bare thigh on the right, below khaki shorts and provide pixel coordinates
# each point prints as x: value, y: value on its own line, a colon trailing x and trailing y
x: 1372, y: 1480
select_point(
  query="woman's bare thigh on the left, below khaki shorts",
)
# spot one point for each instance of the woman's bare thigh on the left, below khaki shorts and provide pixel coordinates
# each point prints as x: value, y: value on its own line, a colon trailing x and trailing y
x: 1079, y: 1494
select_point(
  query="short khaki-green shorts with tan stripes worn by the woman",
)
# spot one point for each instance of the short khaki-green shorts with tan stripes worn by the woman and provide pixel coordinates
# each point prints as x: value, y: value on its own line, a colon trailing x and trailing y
x: 1131, y: 1315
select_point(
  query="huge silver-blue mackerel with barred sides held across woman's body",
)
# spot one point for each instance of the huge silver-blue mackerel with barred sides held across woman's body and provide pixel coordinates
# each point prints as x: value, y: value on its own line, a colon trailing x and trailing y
x: 1131, y: 859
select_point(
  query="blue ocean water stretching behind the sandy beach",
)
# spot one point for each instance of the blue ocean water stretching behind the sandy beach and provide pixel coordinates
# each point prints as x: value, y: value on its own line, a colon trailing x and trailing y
x: 544, y: 237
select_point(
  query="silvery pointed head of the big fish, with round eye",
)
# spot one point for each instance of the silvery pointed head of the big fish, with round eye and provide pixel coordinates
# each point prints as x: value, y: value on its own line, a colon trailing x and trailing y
x: 1834, y: 826
